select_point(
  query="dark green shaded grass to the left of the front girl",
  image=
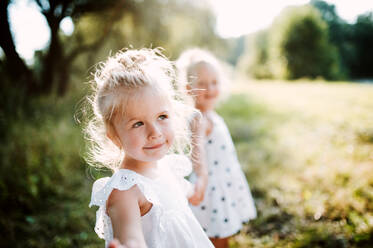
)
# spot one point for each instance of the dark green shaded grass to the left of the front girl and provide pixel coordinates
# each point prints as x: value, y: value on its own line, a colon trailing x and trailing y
x: 42, y: 177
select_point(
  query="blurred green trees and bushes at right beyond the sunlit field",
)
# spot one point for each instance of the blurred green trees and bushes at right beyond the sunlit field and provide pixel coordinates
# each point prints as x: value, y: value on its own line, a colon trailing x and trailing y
x: 310, y: 41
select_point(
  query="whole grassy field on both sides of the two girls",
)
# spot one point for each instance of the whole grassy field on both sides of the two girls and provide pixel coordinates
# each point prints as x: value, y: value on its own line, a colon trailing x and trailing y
x: 306, y: 148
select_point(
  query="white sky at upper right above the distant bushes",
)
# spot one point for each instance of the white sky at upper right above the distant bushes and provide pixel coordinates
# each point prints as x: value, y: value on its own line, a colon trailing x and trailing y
x: 237, y: 17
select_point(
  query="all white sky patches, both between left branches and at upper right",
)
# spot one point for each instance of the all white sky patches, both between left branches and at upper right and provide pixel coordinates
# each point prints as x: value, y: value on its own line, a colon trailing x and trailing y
x: 234, y: 18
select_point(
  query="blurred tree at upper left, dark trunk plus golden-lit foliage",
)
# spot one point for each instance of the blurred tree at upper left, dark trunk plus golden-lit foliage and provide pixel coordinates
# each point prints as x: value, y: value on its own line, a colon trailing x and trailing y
x: 110, y: 25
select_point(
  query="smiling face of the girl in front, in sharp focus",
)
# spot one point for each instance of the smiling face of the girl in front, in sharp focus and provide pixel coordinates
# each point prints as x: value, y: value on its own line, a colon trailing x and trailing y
x: 145, y: 129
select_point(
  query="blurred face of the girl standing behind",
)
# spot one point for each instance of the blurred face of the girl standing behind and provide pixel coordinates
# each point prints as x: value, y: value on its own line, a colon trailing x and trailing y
x: 205, y: 88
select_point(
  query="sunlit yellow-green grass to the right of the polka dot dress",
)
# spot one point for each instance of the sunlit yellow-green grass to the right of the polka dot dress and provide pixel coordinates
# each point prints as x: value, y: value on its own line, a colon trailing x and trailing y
x: 307, y: 149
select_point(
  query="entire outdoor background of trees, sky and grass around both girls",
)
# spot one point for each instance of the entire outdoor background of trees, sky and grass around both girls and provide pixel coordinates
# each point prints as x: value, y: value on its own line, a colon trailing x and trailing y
x: 299, y: 108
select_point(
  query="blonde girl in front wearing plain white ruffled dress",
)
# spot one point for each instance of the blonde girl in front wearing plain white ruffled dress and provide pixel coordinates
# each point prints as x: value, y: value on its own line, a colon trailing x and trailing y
x: 139, y: 123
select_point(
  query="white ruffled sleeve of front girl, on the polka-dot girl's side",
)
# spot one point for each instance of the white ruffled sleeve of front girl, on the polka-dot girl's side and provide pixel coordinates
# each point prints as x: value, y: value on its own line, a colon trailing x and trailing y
x: 181, y: 167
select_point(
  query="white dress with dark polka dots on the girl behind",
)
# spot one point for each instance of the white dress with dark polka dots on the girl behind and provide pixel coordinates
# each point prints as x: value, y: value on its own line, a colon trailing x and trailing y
x: 228, y: 202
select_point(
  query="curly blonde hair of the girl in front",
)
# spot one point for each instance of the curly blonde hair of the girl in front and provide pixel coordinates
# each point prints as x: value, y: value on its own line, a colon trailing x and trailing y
x: 113, y: 81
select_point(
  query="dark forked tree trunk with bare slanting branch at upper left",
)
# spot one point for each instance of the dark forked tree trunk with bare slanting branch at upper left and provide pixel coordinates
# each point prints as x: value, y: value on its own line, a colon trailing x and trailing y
x: 55, y: 61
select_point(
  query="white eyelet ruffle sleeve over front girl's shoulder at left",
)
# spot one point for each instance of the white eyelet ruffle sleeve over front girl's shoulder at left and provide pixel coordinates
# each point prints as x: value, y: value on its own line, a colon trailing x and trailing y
x: 122, y: 180
